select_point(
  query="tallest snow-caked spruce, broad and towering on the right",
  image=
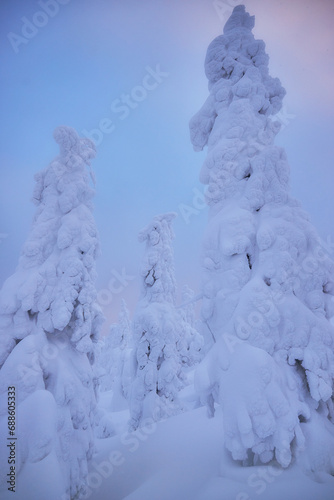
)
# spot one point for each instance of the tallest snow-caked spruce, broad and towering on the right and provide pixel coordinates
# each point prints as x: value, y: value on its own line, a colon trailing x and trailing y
x: 268, y: 282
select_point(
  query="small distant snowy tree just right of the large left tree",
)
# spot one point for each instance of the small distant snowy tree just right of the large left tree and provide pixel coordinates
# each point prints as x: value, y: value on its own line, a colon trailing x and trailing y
x: 117, y: 359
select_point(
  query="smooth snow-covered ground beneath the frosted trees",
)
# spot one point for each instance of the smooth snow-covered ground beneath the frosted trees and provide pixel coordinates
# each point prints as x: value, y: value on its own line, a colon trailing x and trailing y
x: 181, y: 458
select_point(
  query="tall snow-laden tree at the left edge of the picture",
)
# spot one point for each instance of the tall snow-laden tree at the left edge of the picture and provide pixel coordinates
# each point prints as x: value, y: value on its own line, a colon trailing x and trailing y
x: 50, y: 320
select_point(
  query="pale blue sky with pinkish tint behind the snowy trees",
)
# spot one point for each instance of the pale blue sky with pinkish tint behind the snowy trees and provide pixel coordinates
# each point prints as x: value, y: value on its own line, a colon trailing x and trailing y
x: 81, y: 60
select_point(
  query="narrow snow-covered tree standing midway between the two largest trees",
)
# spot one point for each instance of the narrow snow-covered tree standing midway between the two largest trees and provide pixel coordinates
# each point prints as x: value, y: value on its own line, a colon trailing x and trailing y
x: 164, y: 341
